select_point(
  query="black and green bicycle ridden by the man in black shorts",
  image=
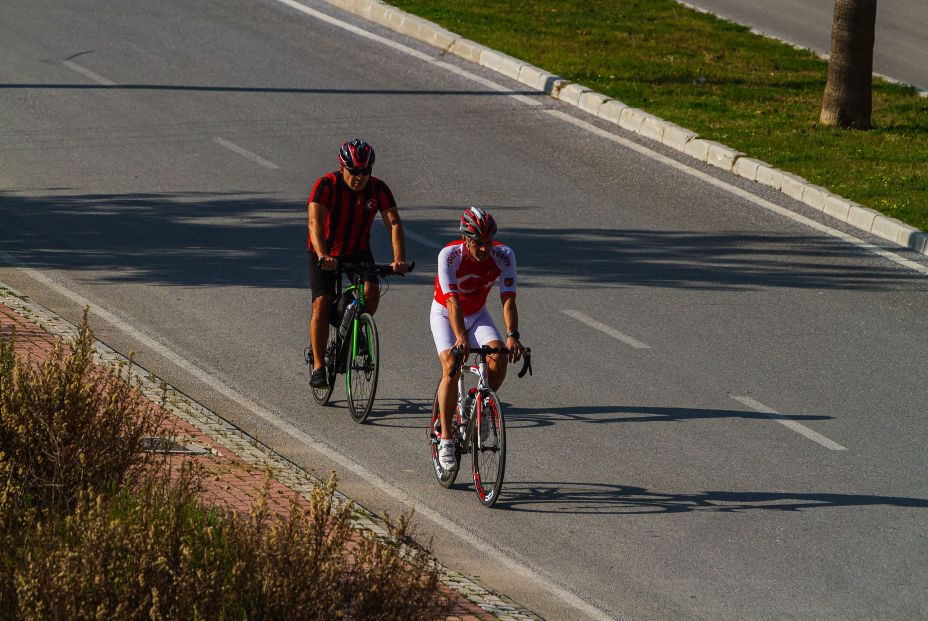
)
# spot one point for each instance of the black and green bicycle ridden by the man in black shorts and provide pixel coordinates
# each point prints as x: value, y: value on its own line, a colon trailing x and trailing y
x: 353, y: 348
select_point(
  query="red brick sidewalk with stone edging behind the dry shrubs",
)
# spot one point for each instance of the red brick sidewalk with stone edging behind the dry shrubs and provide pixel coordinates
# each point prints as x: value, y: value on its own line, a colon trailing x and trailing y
x: 236, y: 468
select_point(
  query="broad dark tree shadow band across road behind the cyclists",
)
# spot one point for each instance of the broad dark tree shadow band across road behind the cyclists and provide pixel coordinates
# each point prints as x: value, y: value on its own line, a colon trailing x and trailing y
x: 257, y: 239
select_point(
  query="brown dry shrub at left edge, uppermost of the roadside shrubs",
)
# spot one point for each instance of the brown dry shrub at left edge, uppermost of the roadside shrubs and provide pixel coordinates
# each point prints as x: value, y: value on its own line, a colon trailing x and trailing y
x: 66, y: 426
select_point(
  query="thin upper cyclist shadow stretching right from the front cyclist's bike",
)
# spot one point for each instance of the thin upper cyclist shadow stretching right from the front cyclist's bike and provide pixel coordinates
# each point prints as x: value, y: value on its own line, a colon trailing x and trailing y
x: 523, y: 418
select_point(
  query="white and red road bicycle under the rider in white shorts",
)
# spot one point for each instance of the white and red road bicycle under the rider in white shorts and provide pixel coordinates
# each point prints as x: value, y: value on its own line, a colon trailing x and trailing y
x: 479, y: 426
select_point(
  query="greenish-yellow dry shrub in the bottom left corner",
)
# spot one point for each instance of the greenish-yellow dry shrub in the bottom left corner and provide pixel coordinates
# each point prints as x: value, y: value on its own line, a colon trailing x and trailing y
x: 152, y: 551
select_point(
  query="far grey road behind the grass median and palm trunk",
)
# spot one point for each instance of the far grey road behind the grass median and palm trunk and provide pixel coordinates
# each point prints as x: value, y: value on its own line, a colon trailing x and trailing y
x: 900, y: 50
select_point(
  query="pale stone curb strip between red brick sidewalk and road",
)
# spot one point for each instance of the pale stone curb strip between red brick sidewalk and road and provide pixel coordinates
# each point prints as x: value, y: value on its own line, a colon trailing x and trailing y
x: 248, y: 449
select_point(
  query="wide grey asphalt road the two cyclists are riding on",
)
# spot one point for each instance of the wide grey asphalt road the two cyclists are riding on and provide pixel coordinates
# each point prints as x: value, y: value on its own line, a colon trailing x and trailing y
x: 155, y: 160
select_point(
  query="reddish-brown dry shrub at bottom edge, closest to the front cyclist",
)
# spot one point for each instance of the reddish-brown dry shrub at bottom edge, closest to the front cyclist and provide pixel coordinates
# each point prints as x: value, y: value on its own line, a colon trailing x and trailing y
x: 315, y: 566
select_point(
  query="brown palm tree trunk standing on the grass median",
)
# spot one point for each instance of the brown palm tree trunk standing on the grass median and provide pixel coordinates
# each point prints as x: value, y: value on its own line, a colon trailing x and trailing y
x: 848, y: 101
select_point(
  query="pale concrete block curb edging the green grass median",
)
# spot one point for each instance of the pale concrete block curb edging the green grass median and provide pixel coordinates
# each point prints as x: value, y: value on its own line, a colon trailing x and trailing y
x: 642, y: 123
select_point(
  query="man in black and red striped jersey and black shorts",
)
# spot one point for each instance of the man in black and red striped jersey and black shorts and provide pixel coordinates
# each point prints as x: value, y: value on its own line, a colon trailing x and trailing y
x: 342, y: 209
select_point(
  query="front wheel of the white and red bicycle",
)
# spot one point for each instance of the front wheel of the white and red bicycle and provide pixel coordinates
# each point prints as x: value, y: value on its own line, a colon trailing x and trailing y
x: 488, y: 448
